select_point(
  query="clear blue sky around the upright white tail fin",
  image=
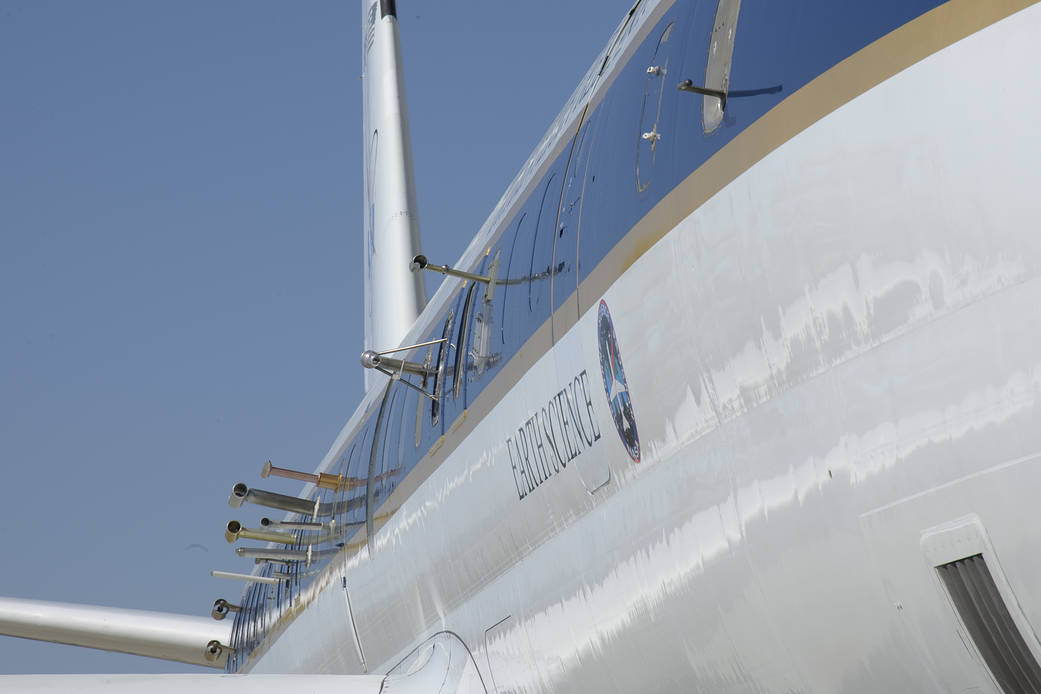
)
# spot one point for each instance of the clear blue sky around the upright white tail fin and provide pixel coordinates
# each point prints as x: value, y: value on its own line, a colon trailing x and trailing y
x: 181, y: 228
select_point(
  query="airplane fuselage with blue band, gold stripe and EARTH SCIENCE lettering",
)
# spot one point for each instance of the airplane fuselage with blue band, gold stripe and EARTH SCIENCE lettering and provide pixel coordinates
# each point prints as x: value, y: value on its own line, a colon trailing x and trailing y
x: 750, y: 377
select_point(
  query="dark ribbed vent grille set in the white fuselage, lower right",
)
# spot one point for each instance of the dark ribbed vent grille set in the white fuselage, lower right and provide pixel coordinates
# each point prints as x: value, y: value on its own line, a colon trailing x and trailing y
x: 991, y: 626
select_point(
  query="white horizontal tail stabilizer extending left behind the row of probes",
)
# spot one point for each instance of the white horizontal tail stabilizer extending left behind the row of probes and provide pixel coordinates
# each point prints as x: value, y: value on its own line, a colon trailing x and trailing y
x: 183, y: 638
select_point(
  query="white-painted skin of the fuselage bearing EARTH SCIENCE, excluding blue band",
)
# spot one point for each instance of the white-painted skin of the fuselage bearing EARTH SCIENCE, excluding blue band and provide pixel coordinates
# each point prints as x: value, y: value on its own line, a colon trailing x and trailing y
x: 831, y: 347
